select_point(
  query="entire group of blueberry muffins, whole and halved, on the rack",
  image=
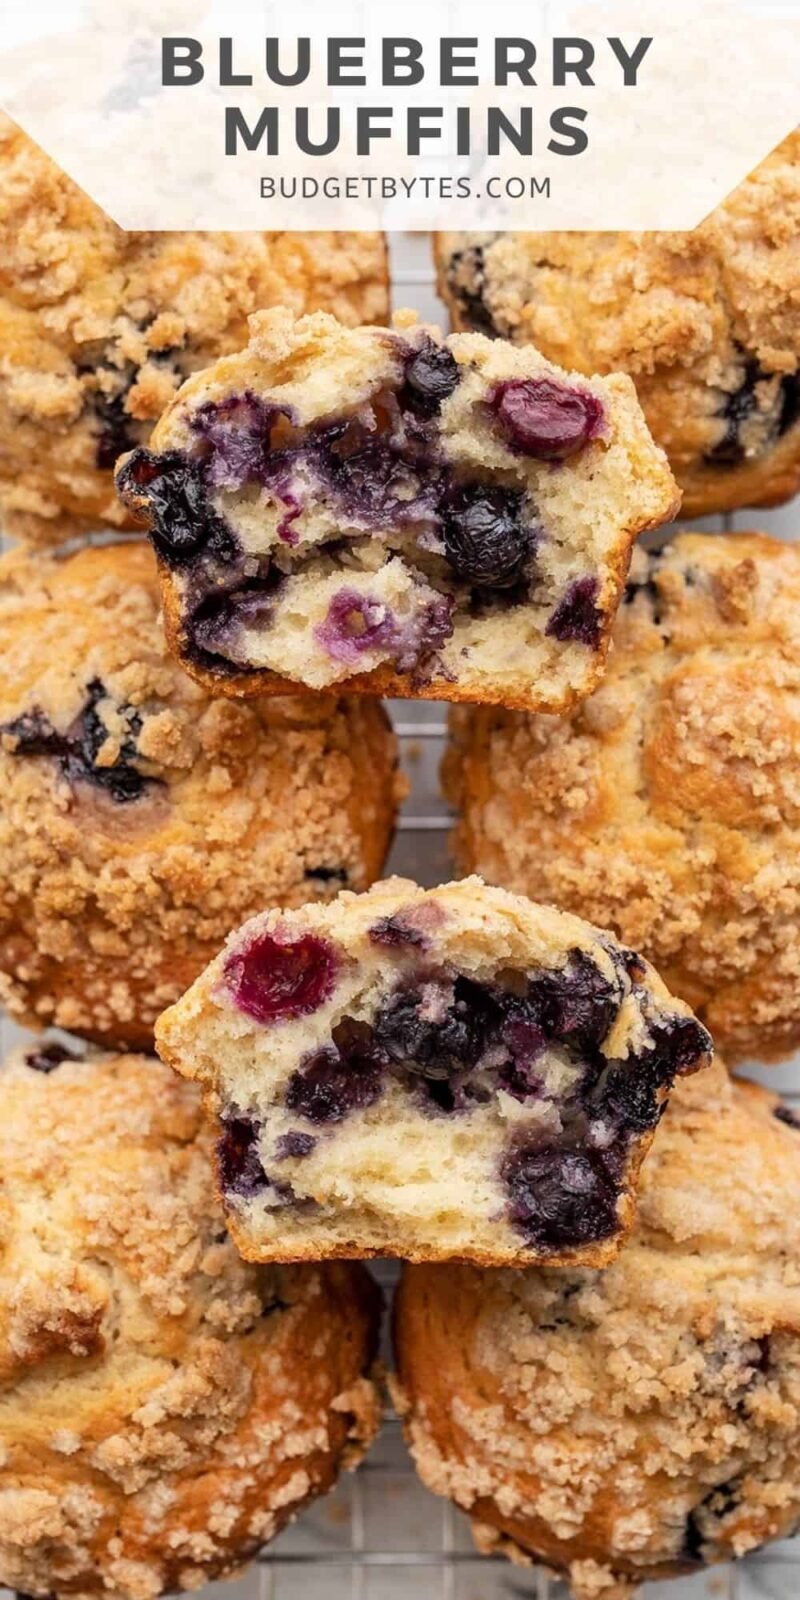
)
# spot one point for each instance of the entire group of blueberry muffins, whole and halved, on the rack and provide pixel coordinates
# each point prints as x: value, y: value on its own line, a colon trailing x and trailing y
x: 598, y: 1337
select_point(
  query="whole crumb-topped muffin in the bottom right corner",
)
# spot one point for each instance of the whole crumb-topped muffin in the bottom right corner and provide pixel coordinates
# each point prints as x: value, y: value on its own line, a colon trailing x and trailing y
x: 641, y: 1422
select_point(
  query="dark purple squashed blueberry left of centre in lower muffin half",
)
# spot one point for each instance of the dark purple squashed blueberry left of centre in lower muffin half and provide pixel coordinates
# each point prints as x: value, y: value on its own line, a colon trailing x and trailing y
x: 345, y: 1078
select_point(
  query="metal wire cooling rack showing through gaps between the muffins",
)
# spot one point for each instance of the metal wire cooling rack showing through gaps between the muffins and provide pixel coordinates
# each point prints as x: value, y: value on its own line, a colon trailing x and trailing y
x: 382, y: 1535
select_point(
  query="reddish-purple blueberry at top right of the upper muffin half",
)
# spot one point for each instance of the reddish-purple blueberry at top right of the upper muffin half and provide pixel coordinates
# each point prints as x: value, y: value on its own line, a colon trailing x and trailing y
x: 548, y: 420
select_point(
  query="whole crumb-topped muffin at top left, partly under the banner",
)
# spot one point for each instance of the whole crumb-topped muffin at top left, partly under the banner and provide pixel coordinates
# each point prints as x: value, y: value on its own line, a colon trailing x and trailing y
x: 100, y: 327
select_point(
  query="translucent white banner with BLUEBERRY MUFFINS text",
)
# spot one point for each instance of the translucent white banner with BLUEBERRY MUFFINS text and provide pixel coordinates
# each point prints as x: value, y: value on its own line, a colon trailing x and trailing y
x: 231, y: 114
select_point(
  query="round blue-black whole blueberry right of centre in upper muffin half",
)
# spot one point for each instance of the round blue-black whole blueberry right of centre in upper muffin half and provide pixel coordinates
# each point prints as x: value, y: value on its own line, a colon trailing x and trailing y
x: 487, y: 540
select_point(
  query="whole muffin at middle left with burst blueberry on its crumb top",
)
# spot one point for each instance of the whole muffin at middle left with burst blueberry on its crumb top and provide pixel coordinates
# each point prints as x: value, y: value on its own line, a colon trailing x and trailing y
x: 142, y: 820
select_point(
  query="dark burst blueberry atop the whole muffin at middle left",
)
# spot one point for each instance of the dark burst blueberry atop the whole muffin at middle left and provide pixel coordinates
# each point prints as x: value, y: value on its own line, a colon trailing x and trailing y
x: 78, y: 750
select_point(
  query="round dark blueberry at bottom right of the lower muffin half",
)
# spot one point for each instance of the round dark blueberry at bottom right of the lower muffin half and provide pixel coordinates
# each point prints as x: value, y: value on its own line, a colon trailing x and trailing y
x: 561, y: 1198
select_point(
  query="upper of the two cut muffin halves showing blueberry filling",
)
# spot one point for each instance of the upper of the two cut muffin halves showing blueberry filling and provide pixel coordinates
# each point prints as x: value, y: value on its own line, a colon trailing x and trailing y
x: 396, y: 514
